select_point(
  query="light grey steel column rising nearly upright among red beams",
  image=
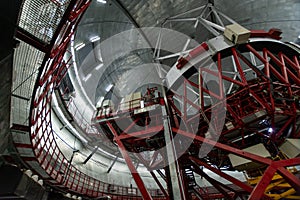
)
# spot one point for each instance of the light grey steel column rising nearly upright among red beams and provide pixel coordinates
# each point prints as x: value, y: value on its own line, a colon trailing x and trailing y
x: 175, y: 178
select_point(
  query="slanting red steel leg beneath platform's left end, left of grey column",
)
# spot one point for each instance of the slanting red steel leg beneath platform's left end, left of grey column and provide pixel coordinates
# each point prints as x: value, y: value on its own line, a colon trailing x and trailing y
x: 134, y: 173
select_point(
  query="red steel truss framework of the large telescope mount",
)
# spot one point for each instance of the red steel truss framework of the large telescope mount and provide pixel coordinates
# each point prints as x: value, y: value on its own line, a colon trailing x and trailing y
x: 274, y: 92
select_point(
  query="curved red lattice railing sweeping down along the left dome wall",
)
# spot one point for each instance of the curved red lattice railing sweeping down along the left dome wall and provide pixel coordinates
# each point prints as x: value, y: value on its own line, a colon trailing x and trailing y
x: 59, y: 169
